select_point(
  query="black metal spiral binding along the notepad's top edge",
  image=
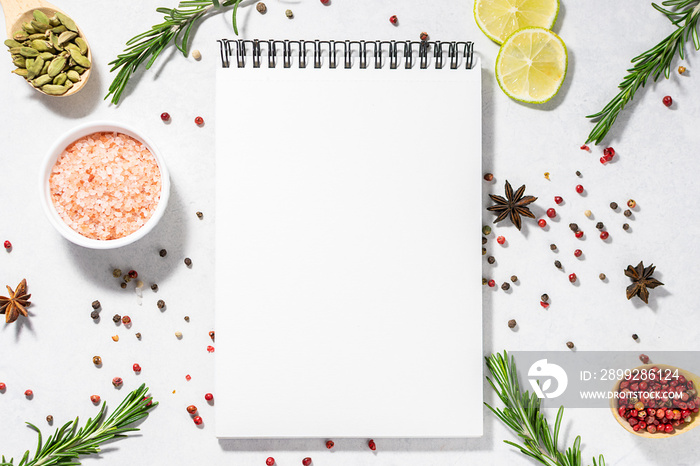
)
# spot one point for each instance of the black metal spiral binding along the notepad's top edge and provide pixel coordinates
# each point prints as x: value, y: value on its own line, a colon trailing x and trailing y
x: 239, y: 49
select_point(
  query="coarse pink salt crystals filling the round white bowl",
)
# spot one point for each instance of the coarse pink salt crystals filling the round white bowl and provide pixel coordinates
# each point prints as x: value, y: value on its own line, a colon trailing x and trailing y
x: 105, y: 185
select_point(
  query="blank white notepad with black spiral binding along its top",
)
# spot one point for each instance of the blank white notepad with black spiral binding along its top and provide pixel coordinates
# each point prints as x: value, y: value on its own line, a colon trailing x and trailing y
x: 348, y: 216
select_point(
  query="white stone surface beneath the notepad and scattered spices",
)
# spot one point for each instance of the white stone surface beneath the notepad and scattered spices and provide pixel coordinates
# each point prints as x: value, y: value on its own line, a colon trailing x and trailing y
x: 656, y: 165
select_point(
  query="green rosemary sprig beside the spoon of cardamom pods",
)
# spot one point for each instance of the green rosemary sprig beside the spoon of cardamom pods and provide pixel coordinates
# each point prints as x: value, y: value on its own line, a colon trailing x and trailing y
x: 175, y: 29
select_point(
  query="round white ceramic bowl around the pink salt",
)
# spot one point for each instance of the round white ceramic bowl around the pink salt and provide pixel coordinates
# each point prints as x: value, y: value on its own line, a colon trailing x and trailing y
x: 52, y: 214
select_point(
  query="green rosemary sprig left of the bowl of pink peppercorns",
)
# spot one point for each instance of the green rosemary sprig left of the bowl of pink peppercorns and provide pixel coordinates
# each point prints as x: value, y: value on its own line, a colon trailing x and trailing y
x: 522, y: 414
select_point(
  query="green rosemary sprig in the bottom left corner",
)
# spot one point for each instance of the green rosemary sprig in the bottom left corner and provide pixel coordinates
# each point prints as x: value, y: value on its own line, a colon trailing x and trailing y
x: 69, y: 442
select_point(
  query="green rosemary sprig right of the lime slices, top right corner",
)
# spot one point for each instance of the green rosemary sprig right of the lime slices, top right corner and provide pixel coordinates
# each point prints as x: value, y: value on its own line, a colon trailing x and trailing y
x: 684, y: 14
